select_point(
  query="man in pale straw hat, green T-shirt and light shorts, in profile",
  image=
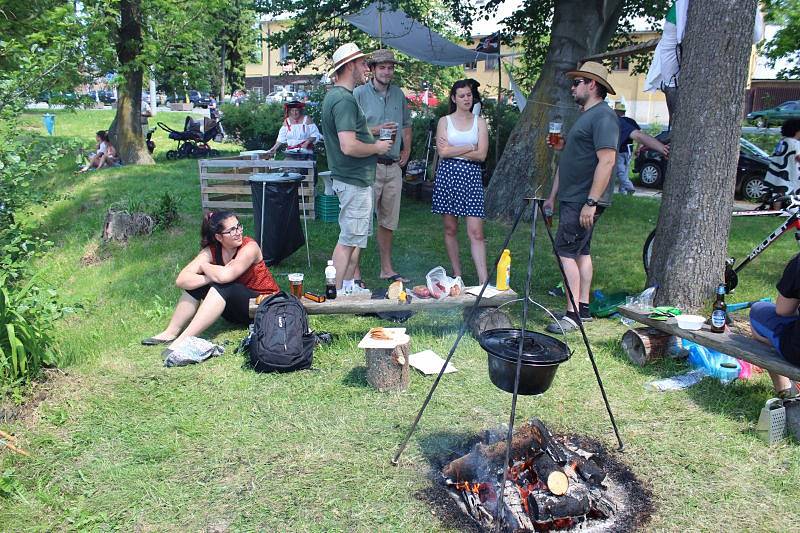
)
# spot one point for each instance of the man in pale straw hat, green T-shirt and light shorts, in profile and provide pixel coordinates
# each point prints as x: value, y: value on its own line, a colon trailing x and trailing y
x: 352, y: 155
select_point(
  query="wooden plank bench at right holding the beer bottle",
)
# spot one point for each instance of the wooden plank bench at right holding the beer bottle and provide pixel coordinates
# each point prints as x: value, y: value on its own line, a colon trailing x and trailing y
x: 735, y: 345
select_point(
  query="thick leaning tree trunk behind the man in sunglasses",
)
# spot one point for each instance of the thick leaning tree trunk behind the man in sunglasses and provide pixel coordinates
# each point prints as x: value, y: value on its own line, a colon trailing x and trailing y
x: 579, y: 29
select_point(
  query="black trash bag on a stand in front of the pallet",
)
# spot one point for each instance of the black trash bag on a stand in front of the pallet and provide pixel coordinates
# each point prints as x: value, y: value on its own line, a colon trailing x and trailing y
x: 277, y: 214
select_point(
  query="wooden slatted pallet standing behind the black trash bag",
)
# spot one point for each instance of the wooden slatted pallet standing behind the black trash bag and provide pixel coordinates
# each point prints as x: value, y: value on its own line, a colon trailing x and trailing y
x: 224, y: 183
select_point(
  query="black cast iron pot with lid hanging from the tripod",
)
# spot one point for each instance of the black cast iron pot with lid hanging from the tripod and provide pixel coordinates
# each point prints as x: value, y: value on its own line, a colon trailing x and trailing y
x: 541, y: 355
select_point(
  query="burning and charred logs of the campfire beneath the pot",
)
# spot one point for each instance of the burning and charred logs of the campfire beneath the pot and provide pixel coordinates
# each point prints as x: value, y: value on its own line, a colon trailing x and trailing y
x: 552, y: 484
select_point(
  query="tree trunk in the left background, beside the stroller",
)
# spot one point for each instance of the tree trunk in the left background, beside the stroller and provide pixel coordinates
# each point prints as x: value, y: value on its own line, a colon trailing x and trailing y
x: 126, y: 129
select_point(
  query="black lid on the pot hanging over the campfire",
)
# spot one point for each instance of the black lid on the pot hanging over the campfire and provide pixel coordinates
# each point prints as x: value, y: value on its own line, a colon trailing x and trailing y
x: 538, y: 348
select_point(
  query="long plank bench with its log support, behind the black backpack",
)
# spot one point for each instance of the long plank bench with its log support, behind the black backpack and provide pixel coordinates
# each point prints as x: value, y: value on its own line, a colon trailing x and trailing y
x: 488, y: 316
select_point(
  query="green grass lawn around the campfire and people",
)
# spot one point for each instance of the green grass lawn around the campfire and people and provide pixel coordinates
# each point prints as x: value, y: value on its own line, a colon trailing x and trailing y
x: 120, y: 442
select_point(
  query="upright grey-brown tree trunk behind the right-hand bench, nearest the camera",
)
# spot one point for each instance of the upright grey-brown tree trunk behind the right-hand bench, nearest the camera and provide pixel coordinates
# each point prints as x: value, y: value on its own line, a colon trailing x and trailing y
x: 690, y: 246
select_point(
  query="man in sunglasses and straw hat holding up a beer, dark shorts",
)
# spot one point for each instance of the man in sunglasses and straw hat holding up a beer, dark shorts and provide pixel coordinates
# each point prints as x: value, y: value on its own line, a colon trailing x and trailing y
x: 583, y: 185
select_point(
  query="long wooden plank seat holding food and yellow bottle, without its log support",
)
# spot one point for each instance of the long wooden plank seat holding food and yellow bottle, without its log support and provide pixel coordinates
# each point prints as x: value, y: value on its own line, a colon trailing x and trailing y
x: 357, y: 306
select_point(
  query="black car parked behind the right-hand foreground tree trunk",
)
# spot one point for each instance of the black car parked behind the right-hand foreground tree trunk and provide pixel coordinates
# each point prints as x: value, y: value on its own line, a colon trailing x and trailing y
x: 750, y: 171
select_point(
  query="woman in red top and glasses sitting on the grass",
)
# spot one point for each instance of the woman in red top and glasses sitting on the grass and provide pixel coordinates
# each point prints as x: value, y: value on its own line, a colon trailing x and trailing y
x: 220, y: 281
